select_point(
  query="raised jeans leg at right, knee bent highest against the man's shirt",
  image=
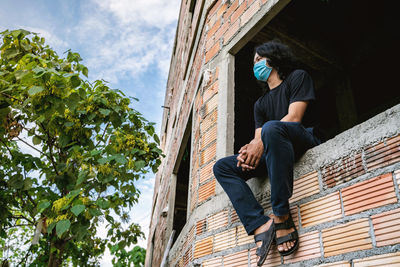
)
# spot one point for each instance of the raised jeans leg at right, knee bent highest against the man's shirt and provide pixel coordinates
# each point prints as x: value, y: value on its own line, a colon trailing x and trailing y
x: 283, y: 143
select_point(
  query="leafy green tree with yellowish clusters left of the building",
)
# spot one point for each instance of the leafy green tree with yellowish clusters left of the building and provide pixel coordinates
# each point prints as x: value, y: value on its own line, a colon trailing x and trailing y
x: 90, y: 148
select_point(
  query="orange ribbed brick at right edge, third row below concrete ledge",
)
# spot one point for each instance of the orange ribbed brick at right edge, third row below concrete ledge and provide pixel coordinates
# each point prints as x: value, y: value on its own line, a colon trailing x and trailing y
x: 387, y: 228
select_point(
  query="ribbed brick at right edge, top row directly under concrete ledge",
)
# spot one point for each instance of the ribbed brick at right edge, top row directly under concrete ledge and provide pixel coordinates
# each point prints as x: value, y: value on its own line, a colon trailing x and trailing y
x: 383, y: 154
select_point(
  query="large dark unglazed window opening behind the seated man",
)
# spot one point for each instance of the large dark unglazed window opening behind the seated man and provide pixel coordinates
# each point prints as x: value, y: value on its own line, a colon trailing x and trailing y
x: 350, y: 49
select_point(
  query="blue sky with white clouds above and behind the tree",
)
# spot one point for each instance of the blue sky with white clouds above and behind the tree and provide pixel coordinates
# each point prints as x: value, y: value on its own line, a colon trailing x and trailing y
x: 125, y: 42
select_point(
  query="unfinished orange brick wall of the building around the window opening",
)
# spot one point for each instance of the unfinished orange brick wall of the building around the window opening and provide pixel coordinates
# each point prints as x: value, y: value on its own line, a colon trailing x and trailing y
x: 346, y: 210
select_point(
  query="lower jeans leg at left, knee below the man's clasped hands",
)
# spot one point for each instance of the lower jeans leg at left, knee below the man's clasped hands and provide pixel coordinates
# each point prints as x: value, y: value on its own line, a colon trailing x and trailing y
x: 233, y: 181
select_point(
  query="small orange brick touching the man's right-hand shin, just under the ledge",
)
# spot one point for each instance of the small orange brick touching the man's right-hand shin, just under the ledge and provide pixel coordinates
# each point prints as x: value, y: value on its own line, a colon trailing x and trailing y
x: 305, y: 186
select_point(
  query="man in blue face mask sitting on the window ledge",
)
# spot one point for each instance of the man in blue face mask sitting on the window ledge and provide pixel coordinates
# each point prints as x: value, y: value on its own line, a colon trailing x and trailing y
x: 279, y: 139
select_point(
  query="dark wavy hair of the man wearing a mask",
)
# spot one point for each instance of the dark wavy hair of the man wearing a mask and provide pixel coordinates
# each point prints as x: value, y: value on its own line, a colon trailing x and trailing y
x: 279, y: 56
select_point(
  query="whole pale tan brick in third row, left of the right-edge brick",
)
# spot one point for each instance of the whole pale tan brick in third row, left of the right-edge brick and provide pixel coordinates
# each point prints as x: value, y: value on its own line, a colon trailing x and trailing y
x: 352, y: 236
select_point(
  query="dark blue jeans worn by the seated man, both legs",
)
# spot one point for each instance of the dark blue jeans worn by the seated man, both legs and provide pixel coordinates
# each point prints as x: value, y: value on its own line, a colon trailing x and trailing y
x: 284, y: 142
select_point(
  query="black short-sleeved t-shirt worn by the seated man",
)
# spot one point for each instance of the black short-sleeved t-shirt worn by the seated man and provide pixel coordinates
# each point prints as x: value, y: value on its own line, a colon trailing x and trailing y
x: 274, y: 104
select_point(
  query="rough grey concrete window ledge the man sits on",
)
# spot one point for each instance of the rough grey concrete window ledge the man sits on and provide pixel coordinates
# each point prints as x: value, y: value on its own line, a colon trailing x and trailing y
x: 383, y: 125
